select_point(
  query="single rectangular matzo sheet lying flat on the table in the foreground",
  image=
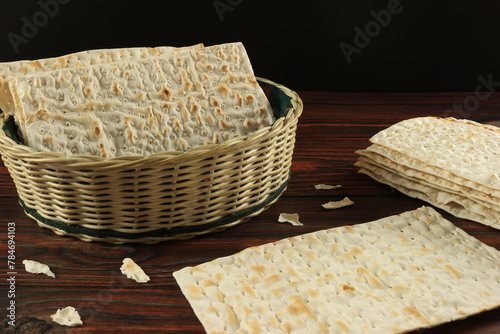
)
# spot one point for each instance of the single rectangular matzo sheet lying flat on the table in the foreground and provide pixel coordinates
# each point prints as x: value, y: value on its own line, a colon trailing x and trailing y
x: 393, y: 275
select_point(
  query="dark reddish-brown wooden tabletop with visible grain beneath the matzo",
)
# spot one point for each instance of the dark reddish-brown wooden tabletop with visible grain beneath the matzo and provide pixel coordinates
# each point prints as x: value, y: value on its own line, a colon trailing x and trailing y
x: 331, y: 128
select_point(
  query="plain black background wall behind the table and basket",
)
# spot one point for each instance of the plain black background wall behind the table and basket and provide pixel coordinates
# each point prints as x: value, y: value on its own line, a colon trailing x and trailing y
x: 427, y: 46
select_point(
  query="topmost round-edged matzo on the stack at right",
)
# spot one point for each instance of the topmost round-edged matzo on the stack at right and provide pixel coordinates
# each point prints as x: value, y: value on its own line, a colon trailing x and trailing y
x: 465, y: 148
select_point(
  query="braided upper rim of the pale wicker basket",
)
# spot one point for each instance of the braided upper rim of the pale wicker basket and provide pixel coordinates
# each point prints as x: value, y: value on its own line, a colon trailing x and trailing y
x: 28, y: 152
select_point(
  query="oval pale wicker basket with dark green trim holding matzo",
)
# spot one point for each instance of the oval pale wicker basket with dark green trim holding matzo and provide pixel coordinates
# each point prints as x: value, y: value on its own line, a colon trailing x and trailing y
x: 164, y: 196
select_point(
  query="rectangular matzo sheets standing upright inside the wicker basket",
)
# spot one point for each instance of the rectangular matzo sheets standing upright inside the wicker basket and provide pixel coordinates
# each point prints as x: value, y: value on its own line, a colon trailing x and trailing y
x: 136, y: 101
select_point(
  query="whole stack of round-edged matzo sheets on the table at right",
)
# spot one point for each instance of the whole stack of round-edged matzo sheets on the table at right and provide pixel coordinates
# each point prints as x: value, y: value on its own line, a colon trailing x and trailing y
x: 450, y: 163
